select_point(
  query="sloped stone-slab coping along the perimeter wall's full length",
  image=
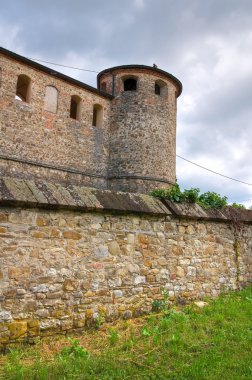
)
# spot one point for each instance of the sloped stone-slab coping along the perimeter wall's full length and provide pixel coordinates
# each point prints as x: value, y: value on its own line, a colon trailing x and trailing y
x: 17, y: 192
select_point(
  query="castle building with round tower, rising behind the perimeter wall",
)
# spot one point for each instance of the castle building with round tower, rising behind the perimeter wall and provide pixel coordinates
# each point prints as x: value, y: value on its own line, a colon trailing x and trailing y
x: 121, y: 136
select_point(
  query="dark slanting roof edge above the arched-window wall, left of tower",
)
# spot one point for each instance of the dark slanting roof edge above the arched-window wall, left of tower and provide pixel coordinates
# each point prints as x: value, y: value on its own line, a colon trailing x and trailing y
x: 52, y: 72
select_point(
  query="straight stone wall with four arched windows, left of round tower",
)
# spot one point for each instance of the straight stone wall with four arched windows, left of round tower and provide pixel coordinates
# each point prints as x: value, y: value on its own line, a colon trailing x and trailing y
x: 35, y: 135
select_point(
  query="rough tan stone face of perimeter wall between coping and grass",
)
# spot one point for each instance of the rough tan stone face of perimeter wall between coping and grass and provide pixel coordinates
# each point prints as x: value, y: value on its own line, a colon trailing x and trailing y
x: 61, y: 270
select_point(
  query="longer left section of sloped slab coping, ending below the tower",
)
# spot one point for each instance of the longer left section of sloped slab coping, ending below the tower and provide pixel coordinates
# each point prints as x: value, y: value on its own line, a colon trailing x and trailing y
x: 34, y: 193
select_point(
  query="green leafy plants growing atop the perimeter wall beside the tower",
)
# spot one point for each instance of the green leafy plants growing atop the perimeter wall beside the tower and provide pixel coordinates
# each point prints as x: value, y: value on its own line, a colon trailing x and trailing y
x: 209, y: 199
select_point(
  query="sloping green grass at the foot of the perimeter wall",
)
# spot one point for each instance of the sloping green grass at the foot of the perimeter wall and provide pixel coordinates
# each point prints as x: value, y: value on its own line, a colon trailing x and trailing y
x: 178, y: 343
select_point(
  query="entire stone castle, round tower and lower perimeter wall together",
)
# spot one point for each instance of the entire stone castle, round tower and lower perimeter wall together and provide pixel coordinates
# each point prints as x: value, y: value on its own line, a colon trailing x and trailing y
x: 80, y: 240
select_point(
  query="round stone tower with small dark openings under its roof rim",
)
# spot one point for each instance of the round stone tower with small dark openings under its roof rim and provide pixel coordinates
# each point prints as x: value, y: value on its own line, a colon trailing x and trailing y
x: 142, y: 146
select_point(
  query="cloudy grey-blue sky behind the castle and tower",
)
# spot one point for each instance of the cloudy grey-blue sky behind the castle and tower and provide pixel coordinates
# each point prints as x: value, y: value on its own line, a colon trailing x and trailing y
x: 207, y: 44
